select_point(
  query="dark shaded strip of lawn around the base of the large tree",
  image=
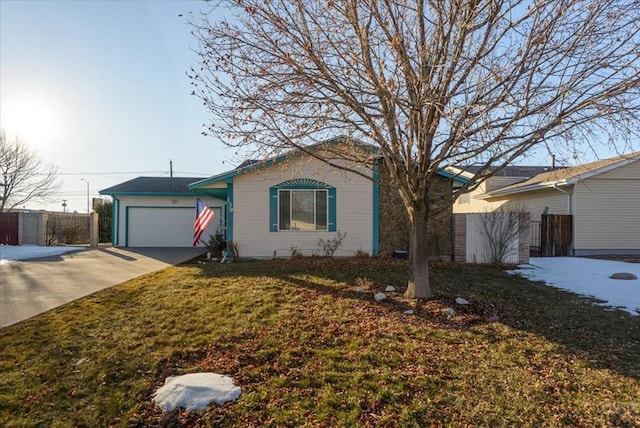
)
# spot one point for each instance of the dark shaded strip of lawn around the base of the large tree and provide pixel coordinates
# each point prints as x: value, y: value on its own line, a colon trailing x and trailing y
x: 604, y: 337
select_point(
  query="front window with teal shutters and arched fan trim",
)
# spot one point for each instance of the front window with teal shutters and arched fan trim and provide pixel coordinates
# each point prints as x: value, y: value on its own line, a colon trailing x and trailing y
x: 302, y: 204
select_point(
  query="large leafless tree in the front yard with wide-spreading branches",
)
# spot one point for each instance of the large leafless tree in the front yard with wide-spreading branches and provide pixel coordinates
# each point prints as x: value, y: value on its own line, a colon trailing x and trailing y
x: 429, y: 83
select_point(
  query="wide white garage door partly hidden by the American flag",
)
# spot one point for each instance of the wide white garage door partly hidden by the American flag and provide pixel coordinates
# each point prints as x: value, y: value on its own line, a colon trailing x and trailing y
x: 164, y: 226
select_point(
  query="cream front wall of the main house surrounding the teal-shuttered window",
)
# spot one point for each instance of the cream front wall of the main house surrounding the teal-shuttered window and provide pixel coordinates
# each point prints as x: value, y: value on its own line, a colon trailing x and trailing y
x: 354, y: 213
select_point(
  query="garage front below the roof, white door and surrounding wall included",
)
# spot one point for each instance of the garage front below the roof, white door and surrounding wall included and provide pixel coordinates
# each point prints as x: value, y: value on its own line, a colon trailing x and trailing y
x: 132, y: 230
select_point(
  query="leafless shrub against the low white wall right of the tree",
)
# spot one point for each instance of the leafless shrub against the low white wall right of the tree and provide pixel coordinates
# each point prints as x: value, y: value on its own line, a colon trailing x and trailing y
x: 502, y: 229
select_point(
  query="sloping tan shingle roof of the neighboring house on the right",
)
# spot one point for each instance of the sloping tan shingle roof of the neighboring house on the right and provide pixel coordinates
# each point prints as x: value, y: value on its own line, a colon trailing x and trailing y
x: 567, y: 176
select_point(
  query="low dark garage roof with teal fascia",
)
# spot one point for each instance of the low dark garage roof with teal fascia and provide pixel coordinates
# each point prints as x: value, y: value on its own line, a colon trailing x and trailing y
x: 153, y: 186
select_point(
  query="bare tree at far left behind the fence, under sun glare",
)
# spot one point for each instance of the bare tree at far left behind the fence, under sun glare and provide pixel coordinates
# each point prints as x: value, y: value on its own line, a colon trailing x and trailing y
x: 23, y: 176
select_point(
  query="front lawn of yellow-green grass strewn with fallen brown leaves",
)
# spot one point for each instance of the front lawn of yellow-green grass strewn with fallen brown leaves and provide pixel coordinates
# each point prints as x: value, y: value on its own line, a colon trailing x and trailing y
x: 309, y: 350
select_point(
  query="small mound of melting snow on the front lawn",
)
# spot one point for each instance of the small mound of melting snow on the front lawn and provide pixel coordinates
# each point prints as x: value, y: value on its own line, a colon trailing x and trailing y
x: 195, y: 391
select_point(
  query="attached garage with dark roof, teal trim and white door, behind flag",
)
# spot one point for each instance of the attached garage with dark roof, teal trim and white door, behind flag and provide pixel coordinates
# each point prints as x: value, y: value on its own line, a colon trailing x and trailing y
x: 158, y: 212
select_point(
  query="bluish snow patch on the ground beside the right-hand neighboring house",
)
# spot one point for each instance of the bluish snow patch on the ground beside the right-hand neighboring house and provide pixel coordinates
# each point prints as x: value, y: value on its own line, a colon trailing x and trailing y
x: 589, y: 277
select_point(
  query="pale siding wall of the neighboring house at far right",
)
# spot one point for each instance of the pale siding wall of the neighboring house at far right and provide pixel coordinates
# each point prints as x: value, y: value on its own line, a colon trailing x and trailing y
x: 607, y: 212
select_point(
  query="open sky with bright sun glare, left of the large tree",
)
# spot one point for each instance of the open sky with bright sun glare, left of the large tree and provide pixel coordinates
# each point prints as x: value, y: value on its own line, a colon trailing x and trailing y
x: 99, y: 88
